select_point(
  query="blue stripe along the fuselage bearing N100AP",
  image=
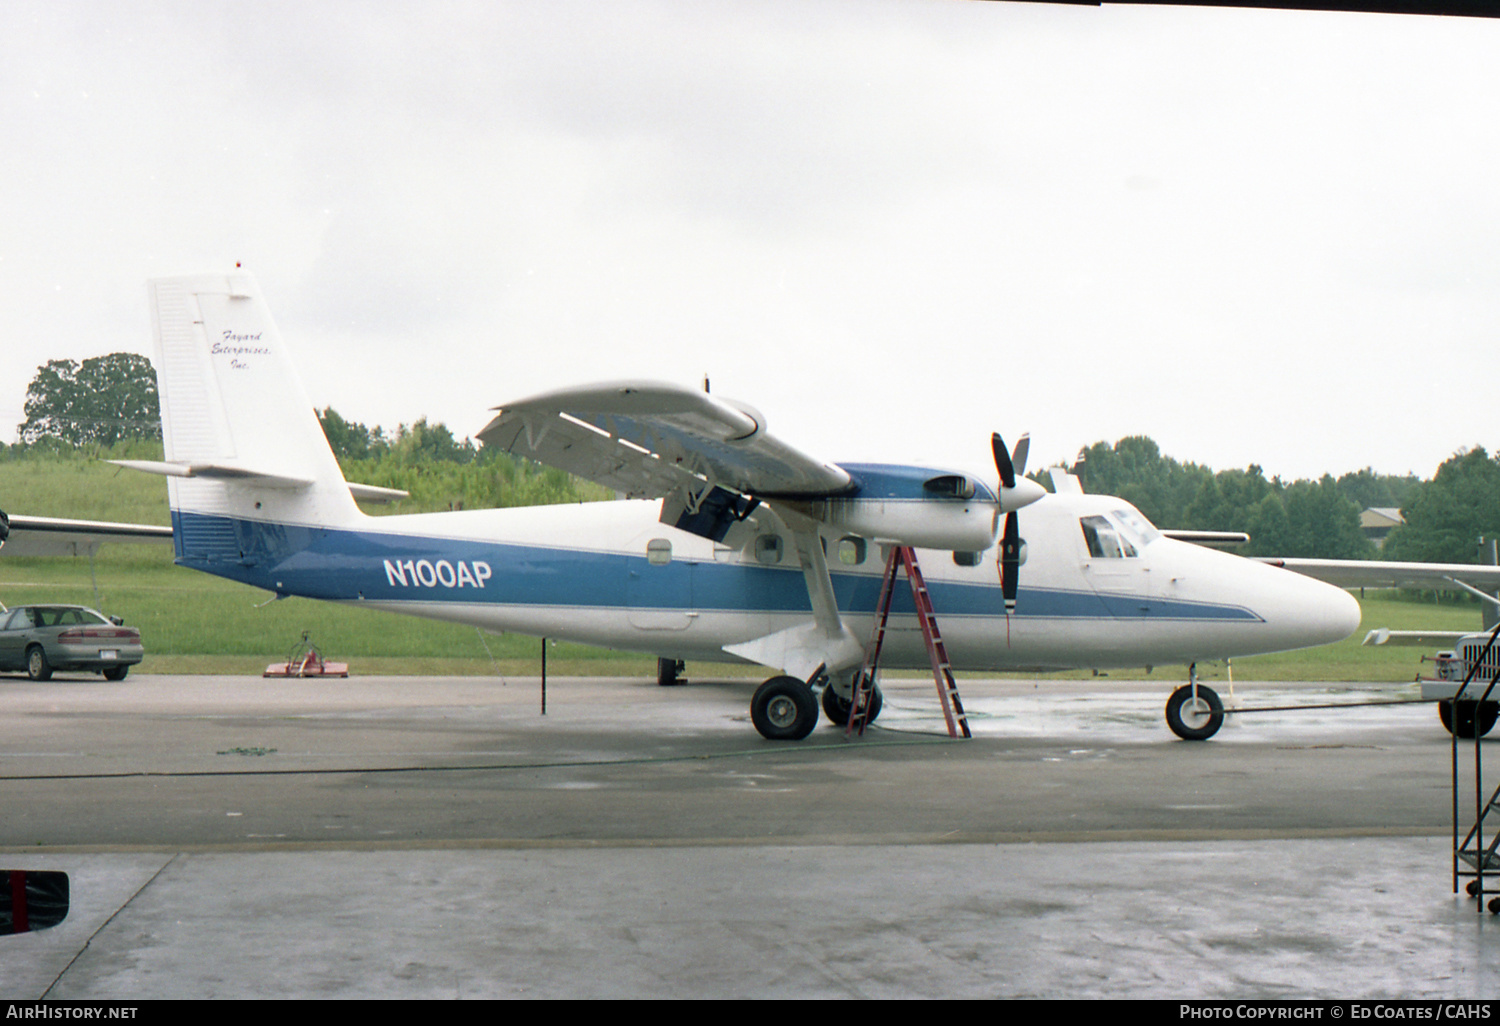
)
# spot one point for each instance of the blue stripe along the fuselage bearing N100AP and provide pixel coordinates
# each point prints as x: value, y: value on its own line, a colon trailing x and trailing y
x: 347, y: 565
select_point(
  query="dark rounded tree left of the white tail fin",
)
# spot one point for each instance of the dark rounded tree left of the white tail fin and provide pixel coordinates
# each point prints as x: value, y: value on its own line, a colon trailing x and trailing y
x: 100, y: 403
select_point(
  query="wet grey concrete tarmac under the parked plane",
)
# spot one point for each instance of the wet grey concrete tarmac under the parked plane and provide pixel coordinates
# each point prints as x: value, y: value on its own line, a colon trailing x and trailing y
x: 419, y: 838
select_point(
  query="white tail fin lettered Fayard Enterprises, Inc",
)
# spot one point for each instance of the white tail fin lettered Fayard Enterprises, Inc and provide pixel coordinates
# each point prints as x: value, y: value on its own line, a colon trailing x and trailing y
x: 242, y: 440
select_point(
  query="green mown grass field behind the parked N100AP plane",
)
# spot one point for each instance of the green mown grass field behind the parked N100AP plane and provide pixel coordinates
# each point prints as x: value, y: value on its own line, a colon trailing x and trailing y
x: 193, y: 623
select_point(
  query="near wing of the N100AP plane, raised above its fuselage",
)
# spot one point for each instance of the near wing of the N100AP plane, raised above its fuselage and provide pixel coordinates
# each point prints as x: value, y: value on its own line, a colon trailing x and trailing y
x: 647, y: 439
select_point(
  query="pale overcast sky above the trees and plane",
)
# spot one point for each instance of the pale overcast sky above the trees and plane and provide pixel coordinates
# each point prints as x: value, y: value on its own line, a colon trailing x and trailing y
x: 892, y: 226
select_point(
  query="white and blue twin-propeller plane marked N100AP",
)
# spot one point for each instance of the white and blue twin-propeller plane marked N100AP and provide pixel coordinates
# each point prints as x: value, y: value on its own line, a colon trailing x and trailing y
x: 731, y: 545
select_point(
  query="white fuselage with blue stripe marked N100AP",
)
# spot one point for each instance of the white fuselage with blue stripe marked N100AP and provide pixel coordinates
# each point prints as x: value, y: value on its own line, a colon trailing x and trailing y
x: 1097, y: 590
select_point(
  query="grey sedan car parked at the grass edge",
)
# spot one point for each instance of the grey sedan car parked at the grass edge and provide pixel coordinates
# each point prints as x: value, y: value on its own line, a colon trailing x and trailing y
x: 41, y: 640
